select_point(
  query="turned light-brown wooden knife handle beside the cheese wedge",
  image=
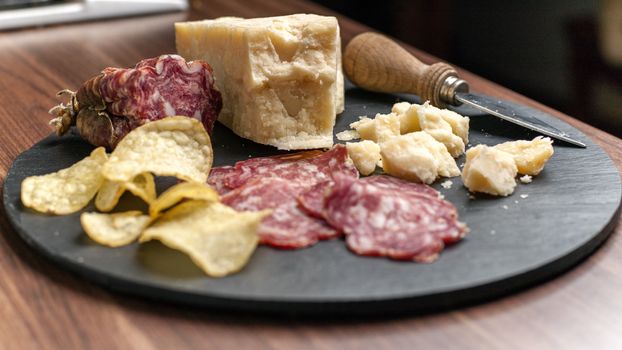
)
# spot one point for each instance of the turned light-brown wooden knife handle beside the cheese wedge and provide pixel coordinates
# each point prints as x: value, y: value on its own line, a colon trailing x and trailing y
x: 377, y: 63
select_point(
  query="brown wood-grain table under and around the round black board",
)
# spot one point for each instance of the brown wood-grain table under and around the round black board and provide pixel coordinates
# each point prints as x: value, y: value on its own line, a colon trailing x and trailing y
x: 42, y: 306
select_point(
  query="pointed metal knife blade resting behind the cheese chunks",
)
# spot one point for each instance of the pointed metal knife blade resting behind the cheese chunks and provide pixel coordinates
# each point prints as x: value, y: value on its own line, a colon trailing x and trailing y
x: 512, y: 114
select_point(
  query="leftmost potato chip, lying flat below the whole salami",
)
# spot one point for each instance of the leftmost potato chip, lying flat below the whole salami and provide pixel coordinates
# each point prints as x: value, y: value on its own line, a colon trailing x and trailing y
x: 68, y: 190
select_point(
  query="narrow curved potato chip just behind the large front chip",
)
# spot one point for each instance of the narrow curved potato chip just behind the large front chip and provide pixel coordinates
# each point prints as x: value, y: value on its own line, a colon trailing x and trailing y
x: 184, y: 190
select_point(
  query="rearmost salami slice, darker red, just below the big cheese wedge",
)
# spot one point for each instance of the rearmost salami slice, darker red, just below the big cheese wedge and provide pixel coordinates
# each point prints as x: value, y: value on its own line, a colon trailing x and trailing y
x: 305, y: 167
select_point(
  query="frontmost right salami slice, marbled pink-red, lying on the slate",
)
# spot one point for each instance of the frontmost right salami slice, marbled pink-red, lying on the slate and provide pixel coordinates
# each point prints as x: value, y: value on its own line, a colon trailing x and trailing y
x: 379, y: 220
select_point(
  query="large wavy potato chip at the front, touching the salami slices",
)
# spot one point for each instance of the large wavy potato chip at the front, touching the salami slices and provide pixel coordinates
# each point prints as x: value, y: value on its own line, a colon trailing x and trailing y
x: 217, y: 238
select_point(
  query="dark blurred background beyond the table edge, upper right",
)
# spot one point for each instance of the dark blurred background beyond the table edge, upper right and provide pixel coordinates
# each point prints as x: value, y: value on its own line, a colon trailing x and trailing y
x: 564, y: 53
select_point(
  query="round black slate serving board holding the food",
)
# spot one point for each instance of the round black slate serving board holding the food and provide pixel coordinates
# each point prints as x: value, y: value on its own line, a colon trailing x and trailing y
x: 542, y: 229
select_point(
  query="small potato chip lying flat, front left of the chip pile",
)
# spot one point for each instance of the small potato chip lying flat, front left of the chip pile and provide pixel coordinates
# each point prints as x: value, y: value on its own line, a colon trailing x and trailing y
x: 114, y: 230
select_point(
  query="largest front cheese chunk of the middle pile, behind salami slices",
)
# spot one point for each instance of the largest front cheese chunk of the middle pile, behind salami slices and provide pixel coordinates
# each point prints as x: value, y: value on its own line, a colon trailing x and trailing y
x: 417, y: 157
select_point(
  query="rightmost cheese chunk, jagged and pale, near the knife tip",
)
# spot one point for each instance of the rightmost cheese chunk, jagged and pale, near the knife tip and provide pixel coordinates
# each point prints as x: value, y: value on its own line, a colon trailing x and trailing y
x: 530, y: 156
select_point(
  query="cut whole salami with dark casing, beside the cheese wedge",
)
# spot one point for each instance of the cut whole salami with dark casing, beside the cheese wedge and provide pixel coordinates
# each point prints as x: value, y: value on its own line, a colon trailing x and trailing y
x: 108, y: 106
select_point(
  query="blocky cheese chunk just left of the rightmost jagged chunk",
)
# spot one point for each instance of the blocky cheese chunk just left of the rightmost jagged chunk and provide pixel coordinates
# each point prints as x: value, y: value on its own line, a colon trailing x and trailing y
x: 489, y: 170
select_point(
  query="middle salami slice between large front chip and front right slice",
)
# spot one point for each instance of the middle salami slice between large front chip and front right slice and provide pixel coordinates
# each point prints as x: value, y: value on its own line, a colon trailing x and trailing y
x: 288, y: 227
